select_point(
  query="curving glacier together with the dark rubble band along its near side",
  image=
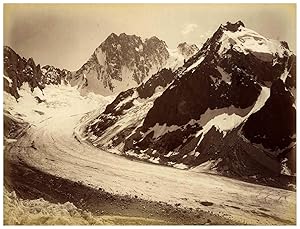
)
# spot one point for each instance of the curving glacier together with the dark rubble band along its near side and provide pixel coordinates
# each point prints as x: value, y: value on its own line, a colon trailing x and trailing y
x: 49, y: 162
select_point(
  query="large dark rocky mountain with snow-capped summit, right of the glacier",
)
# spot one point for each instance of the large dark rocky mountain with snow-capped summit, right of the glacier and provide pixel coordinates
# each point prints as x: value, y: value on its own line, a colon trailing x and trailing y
x: 230, y: 108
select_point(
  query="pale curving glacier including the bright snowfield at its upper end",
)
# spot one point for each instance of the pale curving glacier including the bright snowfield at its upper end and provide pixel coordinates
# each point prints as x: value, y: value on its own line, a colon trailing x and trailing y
x: 57, y: 152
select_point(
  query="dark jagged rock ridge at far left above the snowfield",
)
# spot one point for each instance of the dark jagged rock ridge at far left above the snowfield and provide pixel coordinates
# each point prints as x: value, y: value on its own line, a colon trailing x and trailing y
x: 18, y: 70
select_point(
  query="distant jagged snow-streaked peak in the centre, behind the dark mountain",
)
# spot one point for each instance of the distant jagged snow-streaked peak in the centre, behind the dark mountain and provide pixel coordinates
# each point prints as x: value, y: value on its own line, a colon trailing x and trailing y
x: 121, y: 62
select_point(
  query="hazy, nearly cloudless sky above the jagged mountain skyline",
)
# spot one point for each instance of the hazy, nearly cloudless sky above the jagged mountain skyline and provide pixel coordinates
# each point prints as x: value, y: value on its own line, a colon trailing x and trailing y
x: 65, y: 35
